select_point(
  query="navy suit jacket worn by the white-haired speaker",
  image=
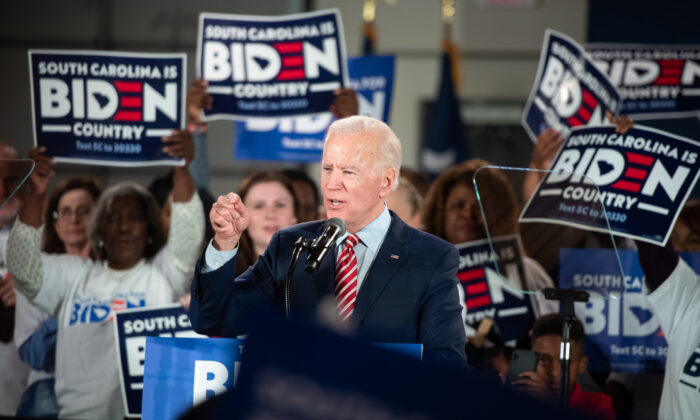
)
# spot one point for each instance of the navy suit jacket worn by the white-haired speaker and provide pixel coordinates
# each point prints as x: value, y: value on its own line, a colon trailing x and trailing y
x: 409, y: 294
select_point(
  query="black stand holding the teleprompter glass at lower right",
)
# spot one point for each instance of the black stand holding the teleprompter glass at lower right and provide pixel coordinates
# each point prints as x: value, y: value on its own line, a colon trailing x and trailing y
x: 567, y: 297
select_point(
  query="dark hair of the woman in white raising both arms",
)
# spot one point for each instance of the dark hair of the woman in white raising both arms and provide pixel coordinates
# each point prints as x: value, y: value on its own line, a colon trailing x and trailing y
x: 151, y: 212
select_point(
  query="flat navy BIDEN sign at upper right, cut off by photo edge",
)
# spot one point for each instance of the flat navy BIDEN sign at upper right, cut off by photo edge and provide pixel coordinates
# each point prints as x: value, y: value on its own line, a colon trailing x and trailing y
x: 655, y: 81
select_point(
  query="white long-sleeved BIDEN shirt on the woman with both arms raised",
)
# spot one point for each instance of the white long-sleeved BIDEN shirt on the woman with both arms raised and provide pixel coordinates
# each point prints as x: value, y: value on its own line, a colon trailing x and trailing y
x: 83, y: 295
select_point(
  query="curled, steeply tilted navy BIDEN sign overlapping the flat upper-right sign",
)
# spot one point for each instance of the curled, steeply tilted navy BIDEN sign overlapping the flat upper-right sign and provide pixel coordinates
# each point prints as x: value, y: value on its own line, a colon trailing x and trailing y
x: 569, y: 90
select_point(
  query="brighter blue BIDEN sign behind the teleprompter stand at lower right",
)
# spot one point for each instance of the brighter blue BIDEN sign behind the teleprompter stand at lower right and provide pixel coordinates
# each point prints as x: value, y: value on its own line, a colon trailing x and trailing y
x: 622, y: 334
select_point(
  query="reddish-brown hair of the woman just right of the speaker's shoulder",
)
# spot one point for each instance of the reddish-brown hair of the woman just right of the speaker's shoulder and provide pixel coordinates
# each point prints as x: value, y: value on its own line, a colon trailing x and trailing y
x: 498, y: 198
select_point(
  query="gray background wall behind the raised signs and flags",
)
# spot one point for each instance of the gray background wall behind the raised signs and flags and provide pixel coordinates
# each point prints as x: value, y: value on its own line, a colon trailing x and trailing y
x: 499, y: 53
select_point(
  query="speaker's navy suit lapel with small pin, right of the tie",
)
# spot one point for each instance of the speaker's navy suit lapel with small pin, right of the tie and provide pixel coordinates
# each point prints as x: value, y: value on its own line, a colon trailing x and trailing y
x: 383, y: 269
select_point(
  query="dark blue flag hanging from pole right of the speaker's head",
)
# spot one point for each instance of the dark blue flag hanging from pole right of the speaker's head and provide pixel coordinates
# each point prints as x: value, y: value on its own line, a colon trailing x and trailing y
x: 446, y: 138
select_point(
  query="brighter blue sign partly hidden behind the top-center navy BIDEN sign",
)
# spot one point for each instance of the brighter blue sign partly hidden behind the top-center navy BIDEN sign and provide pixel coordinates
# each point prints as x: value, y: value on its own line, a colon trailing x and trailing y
x: 301, y: 139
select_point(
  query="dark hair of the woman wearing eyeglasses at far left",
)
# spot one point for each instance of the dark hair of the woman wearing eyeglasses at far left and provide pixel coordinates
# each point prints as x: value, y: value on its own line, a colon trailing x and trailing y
x: 52, y: 243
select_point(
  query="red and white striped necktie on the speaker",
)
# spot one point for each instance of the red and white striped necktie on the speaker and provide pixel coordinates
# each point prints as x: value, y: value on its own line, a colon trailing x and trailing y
x: 346, y: 278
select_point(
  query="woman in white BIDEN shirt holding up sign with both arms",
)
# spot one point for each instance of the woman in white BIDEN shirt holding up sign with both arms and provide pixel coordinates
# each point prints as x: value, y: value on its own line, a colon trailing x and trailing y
x: 134, y: 266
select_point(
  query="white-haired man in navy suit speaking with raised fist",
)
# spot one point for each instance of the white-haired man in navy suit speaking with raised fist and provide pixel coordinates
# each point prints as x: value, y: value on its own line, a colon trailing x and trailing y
x: 406, y: 280
